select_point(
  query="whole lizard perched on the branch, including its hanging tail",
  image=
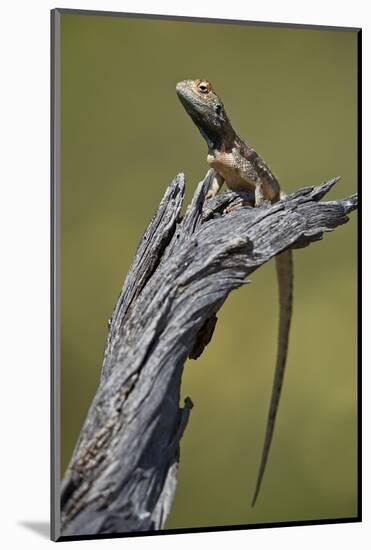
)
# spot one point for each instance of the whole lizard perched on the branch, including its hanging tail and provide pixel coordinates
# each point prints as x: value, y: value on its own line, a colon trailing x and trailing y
x: 237, y: 164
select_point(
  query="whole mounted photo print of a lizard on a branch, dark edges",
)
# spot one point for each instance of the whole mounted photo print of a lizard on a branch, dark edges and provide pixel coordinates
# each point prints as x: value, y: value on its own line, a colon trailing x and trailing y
x: 204, y: 274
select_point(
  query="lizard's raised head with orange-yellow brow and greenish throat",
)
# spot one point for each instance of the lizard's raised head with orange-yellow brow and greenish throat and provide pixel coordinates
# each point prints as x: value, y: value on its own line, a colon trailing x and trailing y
x: 205, y: 108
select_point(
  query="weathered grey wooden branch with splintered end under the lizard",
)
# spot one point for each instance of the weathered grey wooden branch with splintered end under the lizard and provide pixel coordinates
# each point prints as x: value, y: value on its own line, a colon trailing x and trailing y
x: 122, y: 474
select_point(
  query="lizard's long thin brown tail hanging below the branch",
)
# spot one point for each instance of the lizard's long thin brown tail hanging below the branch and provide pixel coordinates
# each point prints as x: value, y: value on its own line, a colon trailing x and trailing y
x: 284, y: 267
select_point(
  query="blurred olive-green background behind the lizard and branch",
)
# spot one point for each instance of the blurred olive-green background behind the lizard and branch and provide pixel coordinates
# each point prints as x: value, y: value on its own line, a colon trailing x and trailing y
x: 292, y: 94
